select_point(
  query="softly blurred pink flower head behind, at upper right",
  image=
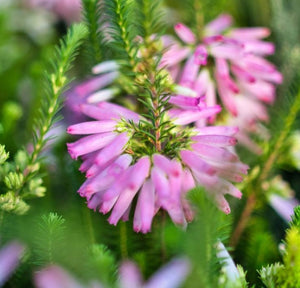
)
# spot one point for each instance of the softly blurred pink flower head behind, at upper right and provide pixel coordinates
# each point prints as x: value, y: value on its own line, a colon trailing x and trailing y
x: 229, y: 61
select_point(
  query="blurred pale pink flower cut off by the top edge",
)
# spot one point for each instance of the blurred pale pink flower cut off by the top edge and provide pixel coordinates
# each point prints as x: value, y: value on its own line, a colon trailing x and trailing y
x: 69, y: 10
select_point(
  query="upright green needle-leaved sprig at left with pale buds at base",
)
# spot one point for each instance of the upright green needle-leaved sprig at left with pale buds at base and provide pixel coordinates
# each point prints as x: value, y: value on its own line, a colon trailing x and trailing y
x: 21, y: 177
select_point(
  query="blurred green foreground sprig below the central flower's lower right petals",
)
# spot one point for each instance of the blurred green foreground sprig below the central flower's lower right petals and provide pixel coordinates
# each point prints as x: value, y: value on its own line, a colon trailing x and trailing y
x: 211, y: 225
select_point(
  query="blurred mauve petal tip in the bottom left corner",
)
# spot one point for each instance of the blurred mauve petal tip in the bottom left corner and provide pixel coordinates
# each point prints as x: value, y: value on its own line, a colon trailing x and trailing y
x: 9, y: 260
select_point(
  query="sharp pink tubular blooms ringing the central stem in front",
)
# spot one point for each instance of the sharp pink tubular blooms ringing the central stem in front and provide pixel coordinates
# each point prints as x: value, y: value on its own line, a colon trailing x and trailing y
x: 116, y: 176
